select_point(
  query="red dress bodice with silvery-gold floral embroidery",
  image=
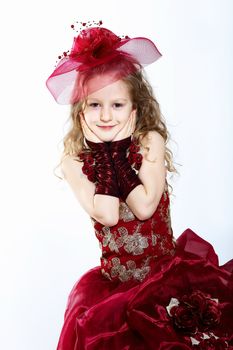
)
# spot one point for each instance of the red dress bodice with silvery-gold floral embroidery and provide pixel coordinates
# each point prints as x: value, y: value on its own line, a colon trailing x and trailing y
x: 130, y: 246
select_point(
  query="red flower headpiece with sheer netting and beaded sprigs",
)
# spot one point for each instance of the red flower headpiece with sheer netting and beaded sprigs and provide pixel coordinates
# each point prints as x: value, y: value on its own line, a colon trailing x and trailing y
x: 94, y: 47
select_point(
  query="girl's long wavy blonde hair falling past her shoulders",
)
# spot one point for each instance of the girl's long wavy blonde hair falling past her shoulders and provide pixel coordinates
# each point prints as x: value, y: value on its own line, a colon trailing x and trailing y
x: 149, y: 116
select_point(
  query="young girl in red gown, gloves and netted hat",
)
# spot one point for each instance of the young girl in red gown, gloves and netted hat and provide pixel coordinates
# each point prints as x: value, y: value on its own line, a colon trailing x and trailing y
x: 150, y: 291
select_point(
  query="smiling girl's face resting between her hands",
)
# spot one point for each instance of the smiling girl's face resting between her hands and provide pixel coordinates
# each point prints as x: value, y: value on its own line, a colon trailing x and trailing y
x: 108, y: 109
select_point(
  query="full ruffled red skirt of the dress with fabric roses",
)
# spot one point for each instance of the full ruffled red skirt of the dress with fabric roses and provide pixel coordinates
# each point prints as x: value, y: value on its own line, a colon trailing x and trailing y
x: 186, y: 302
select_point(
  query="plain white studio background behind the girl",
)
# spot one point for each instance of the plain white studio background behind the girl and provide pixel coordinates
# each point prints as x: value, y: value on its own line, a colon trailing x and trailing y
x: 47, y: 241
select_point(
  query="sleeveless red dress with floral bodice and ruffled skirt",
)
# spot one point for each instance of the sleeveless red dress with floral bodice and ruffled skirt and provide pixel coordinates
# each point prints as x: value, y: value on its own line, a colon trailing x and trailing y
x: 151, y: 291
